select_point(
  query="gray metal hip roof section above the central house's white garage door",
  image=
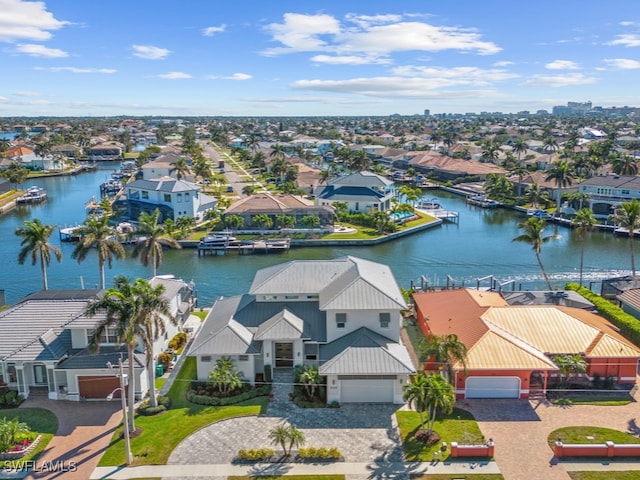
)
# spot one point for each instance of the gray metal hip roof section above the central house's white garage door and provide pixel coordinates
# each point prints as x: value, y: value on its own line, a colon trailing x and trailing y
x: 364, y: 352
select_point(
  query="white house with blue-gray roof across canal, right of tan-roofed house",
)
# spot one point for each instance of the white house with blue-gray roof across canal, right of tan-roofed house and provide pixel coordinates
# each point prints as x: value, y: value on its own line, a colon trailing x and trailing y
x: 363, y: 192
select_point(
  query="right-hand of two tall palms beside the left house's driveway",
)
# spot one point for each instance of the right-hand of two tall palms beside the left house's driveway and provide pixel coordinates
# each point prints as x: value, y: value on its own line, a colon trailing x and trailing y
x: 154, y: 312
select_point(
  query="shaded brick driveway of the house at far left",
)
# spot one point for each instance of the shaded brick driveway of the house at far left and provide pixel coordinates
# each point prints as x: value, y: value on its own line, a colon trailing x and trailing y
x: 84, y: 431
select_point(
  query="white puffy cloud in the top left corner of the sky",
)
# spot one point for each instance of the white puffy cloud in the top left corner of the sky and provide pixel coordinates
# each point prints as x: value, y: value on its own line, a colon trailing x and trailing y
x: 26, y: 20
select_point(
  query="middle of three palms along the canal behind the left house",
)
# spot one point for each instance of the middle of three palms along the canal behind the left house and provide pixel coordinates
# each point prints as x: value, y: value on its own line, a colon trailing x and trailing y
x: 96, y: 233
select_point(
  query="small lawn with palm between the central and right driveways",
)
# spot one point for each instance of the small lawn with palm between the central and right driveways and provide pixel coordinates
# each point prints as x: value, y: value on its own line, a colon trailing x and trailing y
x: 459, y: 427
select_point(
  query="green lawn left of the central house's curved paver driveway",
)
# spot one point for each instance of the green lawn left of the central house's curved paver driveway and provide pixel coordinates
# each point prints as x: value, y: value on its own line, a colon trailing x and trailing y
x: 162, y: 433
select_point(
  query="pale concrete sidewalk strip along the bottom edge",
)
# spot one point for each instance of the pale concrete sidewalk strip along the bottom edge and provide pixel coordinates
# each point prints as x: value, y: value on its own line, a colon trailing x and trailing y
x: 367, y: 470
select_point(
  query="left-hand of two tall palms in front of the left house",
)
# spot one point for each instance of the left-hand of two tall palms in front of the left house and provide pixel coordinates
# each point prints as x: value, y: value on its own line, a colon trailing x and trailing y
x: 122, y: 313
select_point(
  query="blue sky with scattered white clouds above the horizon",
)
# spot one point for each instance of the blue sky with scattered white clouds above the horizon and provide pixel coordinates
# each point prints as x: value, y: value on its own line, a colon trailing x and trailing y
x: 283, y: 58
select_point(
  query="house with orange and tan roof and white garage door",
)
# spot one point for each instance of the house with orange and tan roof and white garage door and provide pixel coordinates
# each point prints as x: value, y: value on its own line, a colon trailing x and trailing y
x: 509, y: 348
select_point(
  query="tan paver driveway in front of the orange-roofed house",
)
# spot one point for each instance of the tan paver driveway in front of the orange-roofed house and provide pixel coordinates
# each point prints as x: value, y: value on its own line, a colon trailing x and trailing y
x: 520, y: 430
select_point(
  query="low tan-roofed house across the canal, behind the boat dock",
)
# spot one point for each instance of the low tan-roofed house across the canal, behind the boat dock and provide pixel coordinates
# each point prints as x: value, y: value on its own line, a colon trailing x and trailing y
x: 275, y: 205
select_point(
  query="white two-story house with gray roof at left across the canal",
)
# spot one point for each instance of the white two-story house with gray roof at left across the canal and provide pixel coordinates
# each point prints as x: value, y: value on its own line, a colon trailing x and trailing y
x: 173, y: 198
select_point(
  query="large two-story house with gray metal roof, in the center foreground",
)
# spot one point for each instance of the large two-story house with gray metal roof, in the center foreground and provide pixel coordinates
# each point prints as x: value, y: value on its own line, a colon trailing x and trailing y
x: 342, y: 316
